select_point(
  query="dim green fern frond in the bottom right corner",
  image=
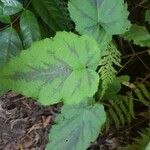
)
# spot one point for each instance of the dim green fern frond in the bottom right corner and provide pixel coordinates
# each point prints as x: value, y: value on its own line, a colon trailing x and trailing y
x: 140, y: 142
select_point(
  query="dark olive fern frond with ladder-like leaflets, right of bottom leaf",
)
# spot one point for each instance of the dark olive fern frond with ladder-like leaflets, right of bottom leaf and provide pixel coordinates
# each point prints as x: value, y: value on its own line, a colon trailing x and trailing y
x: 122, y: 110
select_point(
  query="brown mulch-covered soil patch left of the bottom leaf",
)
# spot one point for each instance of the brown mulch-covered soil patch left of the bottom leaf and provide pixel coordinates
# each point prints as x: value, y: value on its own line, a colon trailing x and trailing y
x: 24, y: 123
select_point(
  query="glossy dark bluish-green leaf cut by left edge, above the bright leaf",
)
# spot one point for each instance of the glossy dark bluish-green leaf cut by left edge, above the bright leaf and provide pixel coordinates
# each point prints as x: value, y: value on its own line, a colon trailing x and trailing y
x: 10, y: 45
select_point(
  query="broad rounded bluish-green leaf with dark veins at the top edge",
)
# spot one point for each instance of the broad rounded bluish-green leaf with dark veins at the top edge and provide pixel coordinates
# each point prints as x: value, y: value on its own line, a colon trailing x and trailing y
x: 97, y: 17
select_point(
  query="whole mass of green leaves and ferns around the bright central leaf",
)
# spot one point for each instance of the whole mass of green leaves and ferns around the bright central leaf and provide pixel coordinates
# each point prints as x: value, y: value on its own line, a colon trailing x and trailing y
x: 68, y: 67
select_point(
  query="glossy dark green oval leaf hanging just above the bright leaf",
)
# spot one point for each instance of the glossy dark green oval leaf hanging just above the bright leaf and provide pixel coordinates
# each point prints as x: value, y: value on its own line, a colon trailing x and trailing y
x: 29, y: 28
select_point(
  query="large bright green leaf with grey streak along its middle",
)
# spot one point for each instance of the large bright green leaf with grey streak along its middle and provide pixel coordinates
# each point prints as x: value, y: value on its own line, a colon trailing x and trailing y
x: 63, y: 67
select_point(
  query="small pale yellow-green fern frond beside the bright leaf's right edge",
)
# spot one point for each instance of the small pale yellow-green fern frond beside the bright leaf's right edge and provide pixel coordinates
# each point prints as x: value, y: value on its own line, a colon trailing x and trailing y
x: 107, y: 71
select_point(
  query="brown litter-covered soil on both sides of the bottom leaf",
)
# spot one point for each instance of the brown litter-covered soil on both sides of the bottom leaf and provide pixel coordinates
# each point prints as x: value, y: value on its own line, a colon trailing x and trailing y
x: 24, y: 125
